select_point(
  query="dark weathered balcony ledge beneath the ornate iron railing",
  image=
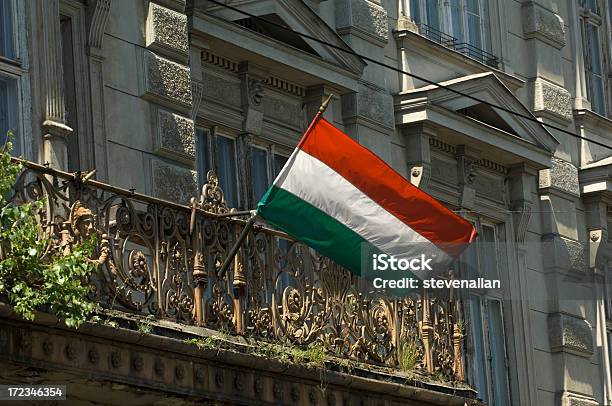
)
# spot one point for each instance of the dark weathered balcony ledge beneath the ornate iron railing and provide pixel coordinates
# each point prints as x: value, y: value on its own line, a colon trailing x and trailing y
x: 45, y: 344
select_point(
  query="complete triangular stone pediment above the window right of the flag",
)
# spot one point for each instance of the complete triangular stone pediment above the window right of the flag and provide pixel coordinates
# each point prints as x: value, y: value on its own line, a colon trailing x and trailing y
x: 486, y: 87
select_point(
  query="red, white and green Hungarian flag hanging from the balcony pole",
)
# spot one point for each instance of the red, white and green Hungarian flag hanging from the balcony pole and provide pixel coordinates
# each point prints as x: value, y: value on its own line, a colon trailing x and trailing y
x: 339, y: 198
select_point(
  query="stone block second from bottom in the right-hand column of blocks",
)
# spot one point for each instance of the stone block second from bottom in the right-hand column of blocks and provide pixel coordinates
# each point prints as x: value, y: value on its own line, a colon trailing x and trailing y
x: 571, y: 334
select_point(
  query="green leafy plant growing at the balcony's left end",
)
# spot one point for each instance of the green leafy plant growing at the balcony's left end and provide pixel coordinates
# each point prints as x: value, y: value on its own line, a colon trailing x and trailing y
x: 31, y: 278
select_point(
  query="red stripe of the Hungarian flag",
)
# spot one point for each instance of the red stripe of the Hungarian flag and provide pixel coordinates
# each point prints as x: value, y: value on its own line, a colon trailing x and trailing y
x: 370, y: 174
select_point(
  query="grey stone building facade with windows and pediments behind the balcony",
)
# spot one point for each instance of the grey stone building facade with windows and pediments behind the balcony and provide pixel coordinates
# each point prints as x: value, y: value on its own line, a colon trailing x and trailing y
x: 153, y: 94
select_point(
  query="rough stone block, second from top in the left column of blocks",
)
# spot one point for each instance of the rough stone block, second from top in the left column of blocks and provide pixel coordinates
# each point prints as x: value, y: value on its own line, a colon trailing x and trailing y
x: 166, y: 82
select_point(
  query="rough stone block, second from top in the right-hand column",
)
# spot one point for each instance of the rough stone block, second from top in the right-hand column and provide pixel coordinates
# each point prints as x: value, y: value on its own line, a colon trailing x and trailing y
x: 551, y: 99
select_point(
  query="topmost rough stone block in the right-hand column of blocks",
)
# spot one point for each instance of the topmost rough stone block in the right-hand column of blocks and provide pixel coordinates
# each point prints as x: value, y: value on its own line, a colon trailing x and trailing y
x: 543, y: 24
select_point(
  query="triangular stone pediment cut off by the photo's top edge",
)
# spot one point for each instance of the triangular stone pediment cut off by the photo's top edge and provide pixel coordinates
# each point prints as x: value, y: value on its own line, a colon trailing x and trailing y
x: 298, y: 16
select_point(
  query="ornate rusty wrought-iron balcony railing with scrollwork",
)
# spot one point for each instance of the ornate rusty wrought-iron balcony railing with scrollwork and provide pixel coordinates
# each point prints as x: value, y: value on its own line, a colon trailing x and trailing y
x: 162, y: 259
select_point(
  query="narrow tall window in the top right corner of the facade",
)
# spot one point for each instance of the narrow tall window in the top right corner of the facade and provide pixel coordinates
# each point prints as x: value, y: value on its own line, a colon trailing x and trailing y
x: 593, y: 54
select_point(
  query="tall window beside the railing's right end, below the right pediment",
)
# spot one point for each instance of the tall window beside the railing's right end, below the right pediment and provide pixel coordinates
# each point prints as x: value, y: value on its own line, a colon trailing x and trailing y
x: 486, y: 359
